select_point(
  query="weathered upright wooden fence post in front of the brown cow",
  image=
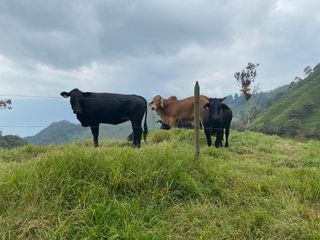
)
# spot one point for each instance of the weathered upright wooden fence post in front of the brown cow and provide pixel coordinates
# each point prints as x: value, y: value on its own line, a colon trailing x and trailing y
x: 197, y: 120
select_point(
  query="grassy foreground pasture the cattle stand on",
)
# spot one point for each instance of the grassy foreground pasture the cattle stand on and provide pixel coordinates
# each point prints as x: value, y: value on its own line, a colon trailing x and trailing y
x: 261, y: 187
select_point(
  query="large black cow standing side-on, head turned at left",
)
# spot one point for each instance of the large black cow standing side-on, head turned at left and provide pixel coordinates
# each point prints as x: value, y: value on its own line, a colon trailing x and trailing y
x: 95, y: 108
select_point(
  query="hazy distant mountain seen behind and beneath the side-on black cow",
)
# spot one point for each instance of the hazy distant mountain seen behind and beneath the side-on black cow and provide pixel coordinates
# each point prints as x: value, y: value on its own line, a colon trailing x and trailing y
x: 65, y: 131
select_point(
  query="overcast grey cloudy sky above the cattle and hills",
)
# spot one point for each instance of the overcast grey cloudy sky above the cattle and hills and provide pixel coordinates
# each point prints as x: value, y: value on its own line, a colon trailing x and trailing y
x: 151, y: 47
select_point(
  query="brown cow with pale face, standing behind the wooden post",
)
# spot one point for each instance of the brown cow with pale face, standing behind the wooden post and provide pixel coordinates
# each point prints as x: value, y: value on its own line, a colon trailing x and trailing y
x: 173, y: 111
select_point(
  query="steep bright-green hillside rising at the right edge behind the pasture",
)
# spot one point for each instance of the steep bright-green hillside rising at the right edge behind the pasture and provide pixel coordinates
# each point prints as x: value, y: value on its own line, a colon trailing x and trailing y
x: 297, y: 112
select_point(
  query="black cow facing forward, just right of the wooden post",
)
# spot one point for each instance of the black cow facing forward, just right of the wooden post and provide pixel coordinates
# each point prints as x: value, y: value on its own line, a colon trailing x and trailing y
x: 217, y: 117
